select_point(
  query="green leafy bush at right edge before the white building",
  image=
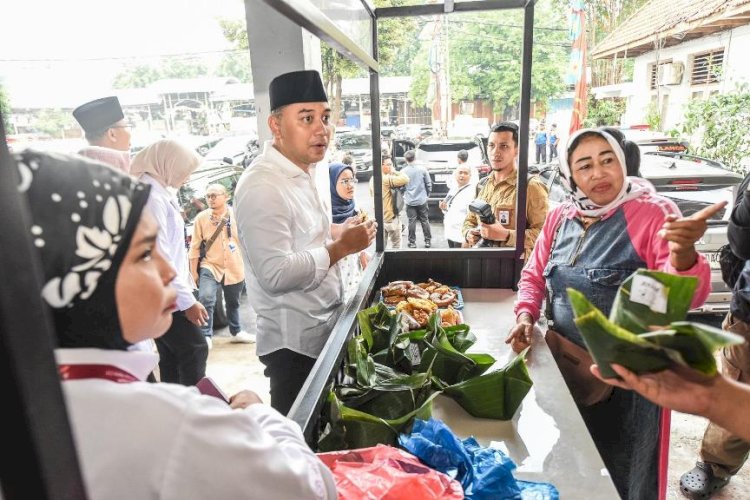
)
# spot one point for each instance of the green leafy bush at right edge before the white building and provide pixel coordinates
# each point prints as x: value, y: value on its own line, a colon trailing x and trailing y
x: 720, y: 123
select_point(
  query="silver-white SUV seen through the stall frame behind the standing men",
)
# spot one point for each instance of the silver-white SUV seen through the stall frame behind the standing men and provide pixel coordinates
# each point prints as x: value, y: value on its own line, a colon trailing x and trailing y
x: 440, y: 159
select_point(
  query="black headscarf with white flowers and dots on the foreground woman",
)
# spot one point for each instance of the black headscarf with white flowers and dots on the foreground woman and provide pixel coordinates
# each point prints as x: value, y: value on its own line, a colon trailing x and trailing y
x: 83, y: 216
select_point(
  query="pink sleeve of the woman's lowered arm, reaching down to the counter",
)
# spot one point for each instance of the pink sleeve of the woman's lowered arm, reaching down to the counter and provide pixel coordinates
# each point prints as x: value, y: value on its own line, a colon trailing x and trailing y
x: 531, y: 286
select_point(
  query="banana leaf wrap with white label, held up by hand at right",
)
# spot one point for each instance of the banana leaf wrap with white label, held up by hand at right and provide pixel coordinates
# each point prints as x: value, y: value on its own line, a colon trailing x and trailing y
x: 646, y: 331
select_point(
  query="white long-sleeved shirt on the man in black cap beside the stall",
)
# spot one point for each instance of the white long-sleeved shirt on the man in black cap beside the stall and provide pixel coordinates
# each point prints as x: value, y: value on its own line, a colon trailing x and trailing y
x: 283, y: 229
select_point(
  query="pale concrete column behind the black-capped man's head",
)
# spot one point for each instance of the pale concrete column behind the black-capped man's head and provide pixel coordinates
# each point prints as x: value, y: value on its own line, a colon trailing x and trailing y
x: 277, y: 46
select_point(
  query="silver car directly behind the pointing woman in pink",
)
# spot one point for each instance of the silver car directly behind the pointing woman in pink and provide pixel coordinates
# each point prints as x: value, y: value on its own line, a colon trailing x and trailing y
x: 693, y: 183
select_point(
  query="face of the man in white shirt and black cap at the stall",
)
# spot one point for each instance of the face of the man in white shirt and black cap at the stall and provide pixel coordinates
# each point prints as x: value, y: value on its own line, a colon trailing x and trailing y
x: 301, y: 132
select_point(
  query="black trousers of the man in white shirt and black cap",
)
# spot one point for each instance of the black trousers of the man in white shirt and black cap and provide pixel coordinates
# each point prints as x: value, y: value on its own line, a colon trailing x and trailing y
x: 287, y: 371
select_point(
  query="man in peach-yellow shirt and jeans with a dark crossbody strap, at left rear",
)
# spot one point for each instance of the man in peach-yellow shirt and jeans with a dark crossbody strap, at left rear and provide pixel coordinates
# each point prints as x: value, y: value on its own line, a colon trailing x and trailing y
x: 222, y: 264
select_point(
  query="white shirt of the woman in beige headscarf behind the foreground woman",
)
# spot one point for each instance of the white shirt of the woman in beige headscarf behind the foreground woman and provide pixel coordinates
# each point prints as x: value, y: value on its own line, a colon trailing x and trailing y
x: 171, y: 238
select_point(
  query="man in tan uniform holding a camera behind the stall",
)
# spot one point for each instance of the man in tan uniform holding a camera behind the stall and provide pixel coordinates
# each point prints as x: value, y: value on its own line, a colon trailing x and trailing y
x: 499, y: 190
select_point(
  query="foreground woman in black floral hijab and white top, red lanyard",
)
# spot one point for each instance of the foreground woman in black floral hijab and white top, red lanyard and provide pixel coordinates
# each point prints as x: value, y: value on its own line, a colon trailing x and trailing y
x: 108, y: 286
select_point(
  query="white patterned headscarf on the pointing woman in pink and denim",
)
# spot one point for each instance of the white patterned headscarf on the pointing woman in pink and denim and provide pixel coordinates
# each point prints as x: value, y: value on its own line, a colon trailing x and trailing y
x: 632, y: 187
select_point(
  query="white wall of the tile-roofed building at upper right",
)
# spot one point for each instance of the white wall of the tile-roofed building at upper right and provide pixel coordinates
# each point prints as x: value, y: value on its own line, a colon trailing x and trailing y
x: 736, y: 44
